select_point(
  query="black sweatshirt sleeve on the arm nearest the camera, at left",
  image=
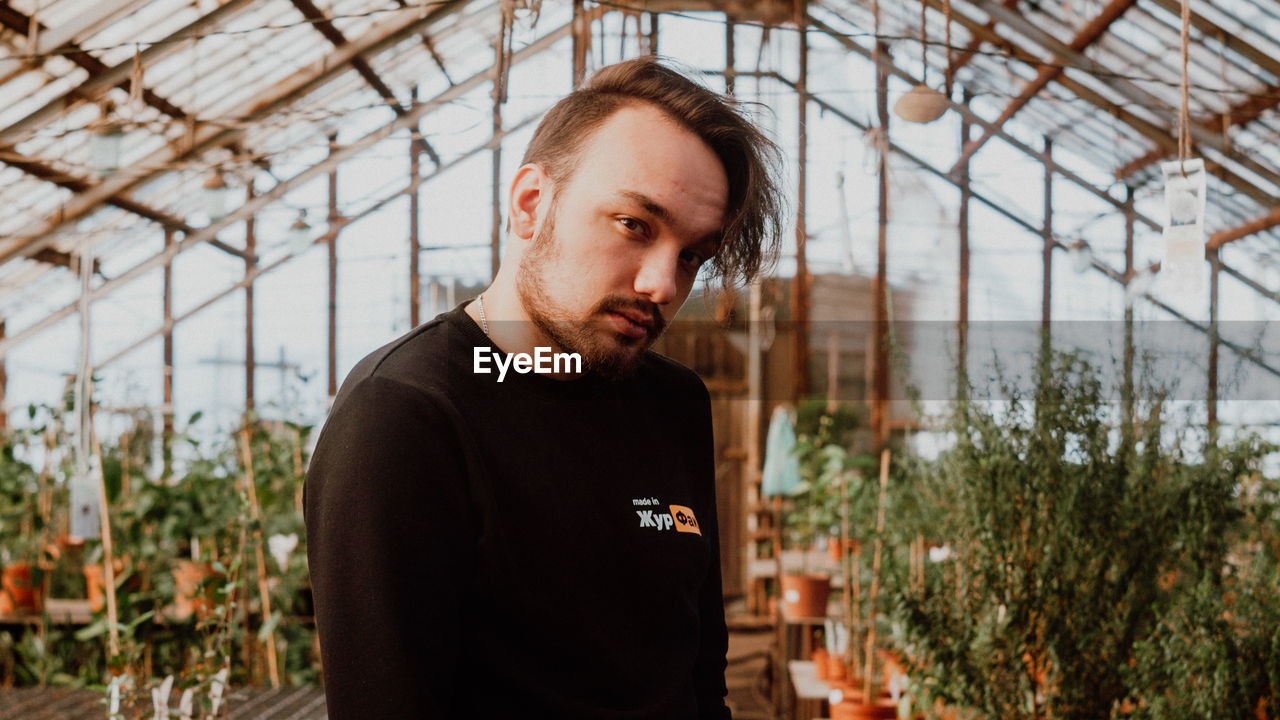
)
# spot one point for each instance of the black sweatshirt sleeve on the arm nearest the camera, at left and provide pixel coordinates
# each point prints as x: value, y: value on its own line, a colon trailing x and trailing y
x: 390, y: 549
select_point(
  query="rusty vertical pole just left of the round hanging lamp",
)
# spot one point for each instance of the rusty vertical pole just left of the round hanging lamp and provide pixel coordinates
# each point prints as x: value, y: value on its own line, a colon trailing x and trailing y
x: 880, y: 400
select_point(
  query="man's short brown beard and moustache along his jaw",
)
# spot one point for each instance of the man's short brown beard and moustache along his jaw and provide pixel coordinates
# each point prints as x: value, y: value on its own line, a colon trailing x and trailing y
x: 609, y: 353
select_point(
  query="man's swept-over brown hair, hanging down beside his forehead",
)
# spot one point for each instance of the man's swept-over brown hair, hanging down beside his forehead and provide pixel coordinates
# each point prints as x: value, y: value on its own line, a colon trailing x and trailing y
x: 753, y: 215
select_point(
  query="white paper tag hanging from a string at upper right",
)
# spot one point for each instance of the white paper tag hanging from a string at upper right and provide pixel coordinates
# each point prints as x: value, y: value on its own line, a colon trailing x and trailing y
x: 1183, y: 265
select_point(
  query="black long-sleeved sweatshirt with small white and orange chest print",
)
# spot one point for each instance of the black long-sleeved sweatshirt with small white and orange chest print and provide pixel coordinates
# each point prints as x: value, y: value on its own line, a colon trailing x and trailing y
x: 531, y: 548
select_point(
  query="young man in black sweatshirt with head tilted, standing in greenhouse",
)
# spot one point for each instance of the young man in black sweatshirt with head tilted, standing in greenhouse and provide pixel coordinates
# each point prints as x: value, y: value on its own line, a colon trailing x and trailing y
x: 511, y: 511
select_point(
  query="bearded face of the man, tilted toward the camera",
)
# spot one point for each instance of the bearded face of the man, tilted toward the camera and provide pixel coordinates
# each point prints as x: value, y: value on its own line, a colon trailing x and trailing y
x: 618, y: 254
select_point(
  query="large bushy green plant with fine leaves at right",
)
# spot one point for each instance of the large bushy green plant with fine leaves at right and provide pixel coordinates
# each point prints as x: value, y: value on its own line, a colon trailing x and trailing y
x: 1062, y: 530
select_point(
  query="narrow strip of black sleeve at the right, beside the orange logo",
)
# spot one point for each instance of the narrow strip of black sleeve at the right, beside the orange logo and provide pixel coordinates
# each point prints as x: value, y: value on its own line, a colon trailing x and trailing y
x: 711, y: 664
